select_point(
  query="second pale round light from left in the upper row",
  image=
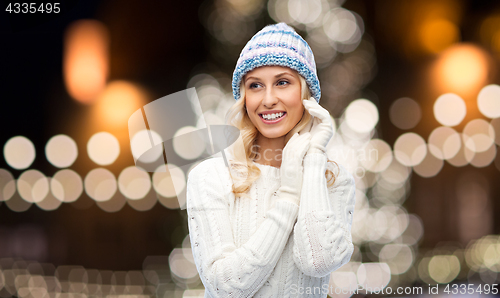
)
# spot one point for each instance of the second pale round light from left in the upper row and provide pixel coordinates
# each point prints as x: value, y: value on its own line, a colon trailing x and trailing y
x: 61, y: 151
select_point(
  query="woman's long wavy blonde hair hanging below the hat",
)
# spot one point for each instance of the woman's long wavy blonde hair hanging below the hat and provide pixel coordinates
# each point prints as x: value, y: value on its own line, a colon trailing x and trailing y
x: 243, y: 171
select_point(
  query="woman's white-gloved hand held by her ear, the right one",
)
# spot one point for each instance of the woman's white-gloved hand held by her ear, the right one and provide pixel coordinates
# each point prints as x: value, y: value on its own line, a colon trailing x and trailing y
x: 322, y: 128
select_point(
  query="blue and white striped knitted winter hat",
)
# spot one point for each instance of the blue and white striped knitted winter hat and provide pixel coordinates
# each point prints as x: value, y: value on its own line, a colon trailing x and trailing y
x: 280, y: 45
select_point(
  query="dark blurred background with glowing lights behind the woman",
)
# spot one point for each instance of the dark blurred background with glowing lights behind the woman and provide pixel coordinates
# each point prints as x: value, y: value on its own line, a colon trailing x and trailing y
x: 413, y: 81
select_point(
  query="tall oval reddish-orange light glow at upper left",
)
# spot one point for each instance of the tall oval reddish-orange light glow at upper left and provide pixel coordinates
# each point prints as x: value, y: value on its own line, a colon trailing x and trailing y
x: 85, y: 61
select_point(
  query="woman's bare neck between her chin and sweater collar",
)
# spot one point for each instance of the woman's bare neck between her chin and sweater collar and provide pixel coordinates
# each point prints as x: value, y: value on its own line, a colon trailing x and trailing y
x: 270, y: 150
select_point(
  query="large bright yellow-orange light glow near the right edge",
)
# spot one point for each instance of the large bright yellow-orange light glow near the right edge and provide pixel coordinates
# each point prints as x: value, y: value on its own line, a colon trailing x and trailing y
x: 462, y: 69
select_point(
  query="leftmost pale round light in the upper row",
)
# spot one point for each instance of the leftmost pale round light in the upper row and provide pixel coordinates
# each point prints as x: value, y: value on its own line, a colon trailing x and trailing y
x: 19, y: 152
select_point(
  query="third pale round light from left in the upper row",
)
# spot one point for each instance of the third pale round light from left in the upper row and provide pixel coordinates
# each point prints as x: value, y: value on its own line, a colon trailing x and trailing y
x: 103, y: 148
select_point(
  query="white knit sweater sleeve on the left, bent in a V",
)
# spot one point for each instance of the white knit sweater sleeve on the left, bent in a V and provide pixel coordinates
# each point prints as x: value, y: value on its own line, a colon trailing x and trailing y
x: 224, y: 269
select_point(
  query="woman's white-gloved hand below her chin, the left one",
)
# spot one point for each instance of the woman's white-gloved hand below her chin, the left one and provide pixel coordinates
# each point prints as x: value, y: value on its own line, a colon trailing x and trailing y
x: 291, y: 170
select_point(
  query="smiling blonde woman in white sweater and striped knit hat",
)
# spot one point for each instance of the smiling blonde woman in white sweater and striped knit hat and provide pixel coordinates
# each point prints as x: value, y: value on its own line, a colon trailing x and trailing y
x: 282, y: 229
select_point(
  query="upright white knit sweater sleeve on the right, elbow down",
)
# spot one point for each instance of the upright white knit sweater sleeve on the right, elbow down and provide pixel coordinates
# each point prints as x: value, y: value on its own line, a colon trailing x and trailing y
x: 322, y: 234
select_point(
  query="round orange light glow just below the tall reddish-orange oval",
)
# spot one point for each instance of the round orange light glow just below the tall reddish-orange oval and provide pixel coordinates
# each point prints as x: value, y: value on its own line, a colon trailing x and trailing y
x: 118, y: 102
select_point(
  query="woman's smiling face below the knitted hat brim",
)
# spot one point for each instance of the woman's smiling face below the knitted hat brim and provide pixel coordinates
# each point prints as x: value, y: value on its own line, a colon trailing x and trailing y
x: 273, y: 90
